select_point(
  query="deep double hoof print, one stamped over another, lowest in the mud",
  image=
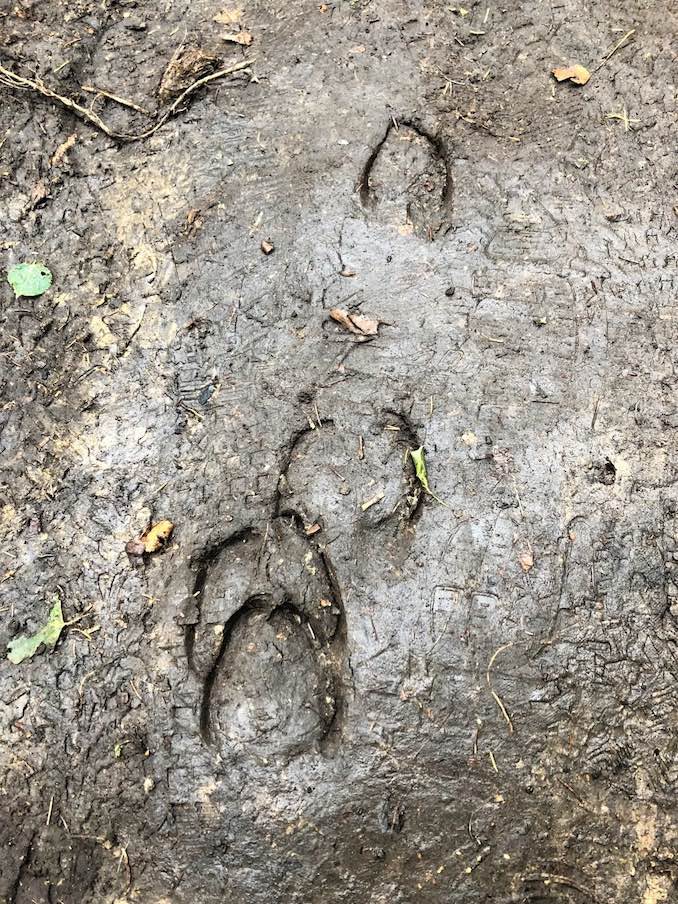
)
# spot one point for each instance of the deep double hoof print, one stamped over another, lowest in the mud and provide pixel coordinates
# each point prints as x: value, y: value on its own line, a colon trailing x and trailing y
x: 268, y: 644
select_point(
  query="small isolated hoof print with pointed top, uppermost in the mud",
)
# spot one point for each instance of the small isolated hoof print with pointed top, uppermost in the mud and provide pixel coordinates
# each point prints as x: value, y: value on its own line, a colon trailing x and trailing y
x: 406, y: 180
